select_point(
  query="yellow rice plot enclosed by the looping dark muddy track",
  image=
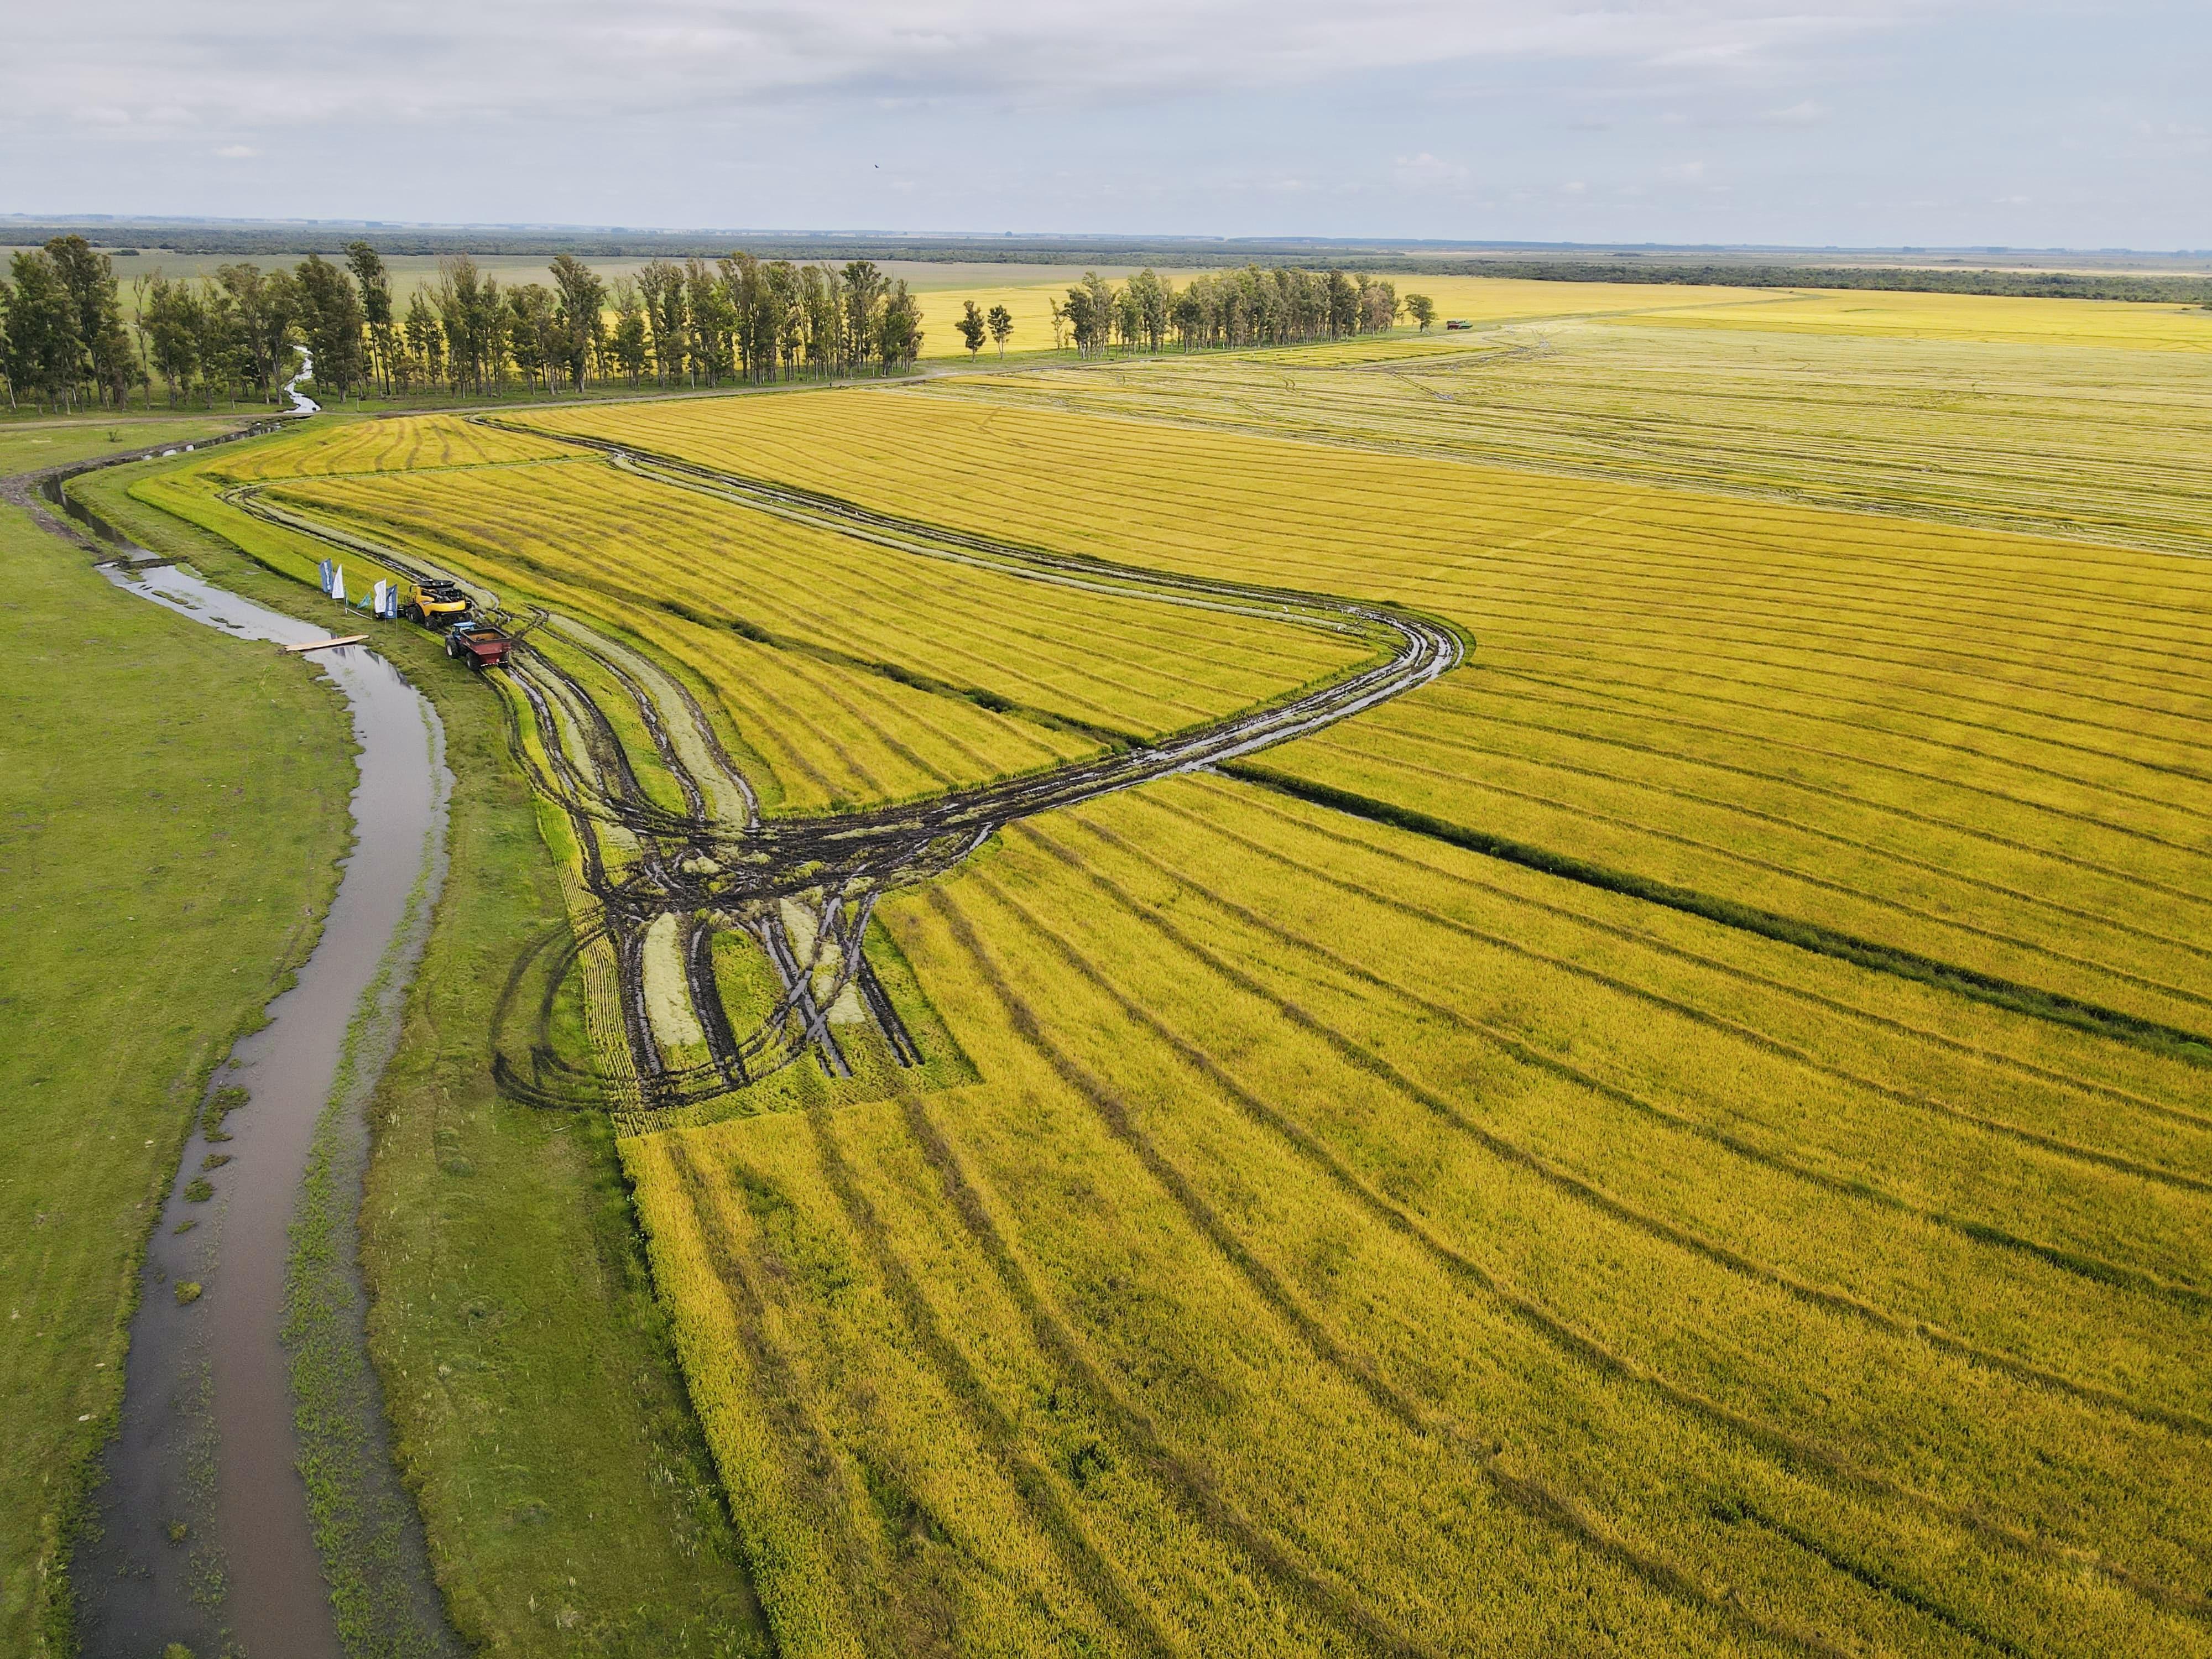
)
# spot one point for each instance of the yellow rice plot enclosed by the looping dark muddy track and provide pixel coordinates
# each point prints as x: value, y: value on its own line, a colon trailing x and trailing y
x: 851, y: 671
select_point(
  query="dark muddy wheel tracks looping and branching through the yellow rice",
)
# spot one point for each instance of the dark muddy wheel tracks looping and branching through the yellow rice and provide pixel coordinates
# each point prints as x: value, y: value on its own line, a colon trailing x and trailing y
x: 724, y: 870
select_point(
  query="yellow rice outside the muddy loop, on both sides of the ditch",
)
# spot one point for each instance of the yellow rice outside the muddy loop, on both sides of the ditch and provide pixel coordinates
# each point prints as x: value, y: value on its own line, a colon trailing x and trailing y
x: 1342, y: 1204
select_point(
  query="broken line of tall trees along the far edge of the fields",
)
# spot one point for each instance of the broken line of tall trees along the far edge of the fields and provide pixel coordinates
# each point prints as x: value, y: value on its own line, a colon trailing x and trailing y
x: 65, y: 340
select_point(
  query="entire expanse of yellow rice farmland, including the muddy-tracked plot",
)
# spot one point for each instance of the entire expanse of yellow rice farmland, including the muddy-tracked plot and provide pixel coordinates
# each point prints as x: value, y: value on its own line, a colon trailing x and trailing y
x: 1684, y: 1134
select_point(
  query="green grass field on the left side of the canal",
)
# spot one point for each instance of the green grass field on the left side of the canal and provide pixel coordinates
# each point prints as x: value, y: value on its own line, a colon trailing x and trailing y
x: 165, y: 859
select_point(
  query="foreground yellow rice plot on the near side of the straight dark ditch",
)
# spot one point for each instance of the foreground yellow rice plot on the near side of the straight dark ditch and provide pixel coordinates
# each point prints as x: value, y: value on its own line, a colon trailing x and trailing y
x: 1364, y: 1249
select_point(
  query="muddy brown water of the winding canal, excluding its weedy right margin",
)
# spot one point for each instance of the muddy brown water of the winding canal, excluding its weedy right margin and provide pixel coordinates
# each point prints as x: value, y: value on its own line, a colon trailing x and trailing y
x: 209, y: 1439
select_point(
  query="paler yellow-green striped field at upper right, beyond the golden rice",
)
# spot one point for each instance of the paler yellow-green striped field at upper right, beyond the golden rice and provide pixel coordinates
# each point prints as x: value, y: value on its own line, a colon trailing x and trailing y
x: 2065, y: 435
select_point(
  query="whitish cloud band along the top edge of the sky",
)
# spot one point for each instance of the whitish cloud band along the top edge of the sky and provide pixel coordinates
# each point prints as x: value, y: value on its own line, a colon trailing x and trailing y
x: 328, y: 61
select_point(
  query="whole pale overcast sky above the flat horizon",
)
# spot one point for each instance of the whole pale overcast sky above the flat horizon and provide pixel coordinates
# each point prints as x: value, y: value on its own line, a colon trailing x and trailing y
x: 1859, y: 123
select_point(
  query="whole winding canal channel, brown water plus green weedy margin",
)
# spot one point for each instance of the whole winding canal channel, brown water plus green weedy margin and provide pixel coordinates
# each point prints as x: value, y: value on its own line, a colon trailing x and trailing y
x: 225, y: 1474
